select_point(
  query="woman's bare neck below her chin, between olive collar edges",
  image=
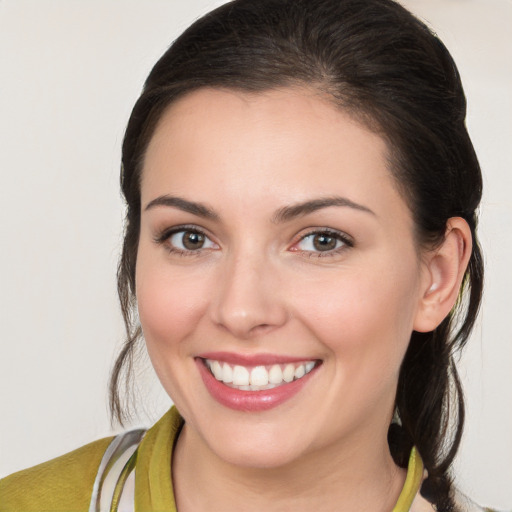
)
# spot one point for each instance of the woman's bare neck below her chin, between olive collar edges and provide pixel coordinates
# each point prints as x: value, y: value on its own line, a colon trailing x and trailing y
x: 358, y: 476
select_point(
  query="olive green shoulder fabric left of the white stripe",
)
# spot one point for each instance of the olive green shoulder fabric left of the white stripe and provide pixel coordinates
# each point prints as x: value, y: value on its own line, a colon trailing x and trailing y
x: 61, y: 484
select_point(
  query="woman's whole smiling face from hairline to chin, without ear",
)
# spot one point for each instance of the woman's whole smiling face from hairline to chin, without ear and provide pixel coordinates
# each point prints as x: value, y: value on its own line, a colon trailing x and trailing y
x: 275, y: 249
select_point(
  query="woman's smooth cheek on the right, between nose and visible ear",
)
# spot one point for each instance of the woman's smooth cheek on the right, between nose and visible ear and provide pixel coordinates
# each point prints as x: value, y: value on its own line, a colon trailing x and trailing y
x: 363, y: 317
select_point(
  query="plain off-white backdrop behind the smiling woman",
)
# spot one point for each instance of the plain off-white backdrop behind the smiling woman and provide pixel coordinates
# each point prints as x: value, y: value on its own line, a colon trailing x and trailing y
x: 70, y: 72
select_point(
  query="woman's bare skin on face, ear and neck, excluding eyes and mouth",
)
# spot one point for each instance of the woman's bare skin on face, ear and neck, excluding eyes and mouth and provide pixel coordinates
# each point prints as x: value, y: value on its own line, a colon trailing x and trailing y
x: 259, y: 286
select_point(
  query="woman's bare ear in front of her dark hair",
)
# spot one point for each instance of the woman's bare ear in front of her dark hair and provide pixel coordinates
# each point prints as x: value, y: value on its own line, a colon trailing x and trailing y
x: 442, y: 274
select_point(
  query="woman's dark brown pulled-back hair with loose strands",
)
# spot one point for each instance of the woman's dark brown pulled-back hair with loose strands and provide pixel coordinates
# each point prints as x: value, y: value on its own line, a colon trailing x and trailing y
x: 375, y: 60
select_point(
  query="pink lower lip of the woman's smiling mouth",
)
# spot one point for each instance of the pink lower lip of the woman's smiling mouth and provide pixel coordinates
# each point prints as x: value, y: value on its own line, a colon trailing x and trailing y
x: 251, y: 401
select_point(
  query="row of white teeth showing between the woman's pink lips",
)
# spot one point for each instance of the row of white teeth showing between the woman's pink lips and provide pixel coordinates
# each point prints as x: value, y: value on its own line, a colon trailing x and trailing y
x: 258, y: 378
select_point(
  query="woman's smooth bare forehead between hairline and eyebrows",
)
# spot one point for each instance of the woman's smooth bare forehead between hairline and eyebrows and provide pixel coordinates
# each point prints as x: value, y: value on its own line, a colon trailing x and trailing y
x: 289, y: 143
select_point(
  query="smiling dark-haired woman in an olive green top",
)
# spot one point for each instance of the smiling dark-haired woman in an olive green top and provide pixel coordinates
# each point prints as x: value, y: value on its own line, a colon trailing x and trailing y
x: 301, y: 195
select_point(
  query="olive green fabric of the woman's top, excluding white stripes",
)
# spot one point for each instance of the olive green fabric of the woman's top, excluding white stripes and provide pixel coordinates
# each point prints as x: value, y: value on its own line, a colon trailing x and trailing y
x: 65, y: 484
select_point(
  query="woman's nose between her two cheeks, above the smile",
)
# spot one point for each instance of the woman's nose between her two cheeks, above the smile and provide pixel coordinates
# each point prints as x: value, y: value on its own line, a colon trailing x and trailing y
x: 248, y: 301
